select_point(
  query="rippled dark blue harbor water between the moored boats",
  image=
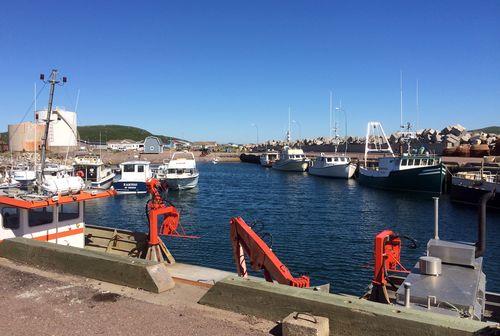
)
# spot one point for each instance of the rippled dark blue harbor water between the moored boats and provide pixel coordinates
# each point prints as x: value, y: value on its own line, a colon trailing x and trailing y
x: 317, y: 226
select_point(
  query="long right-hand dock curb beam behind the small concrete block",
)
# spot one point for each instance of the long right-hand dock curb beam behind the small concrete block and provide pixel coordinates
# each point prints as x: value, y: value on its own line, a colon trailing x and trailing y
x: 348, y: 315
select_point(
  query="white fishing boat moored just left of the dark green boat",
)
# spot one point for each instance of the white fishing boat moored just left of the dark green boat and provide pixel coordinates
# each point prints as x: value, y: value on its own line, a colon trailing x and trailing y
x: 332, y: 165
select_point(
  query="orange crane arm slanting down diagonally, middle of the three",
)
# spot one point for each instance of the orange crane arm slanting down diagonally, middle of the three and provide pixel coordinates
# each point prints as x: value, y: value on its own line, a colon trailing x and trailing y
x: 246, y: 241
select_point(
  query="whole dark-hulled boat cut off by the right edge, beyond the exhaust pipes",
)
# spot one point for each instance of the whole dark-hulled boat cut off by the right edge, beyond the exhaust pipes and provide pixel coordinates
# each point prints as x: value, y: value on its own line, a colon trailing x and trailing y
x: 469, y: 187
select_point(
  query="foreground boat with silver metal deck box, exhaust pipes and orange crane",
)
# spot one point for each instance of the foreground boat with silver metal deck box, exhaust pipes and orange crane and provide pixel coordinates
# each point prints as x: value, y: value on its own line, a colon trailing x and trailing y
x: 448, y: 279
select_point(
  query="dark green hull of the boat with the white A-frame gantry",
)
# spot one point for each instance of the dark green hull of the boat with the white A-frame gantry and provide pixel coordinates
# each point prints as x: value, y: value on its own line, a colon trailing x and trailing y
x: 427, y: 179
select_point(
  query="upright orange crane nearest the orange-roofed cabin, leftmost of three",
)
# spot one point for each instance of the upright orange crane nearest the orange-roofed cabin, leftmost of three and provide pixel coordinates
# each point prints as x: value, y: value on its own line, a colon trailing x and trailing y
x: 158, y: 210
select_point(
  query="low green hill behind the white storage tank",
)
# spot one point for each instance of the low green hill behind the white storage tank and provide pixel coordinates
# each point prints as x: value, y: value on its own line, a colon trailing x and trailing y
x: 115, y: 132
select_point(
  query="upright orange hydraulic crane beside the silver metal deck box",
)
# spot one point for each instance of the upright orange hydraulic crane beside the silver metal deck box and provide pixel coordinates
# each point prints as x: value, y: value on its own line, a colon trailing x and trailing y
x: 387, y: 258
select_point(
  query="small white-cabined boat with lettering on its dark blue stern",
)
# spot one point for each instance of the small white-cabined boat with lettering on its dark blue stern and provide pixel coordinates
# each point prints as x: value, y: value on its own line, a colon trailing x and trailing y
x: 134, y: 175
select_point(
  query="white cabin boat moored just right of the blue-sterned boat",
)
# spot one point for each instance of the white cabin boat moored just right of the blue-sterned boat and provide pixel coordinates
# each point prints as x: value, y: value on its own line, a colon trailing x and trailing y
x: 180, y: 172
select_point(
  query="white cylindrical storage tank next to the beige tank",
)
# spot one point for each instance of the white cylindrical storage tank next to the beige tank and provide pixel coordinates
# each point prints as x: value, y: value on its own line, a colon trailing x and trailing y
x: 63, y: 127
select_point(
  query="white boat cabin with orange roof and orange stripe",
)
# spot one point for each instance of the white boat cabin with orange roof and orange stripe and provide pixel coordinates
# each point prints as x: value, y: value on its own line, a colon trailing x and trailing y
x: 57, y: 219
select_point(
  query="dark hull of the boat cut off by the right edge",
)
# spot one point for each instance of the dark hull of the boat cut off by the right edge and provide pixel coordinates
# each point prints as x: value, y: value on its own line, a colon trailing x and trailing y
x: 470, y: 192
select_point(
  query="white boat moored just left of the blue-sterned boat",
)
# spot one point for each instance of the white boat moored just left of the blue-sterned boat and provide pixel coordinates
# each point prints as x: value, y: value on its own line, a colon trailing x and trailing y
x: 93, y: 172
